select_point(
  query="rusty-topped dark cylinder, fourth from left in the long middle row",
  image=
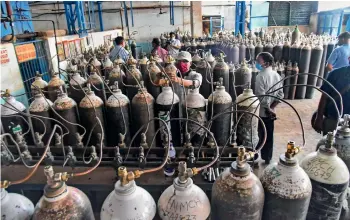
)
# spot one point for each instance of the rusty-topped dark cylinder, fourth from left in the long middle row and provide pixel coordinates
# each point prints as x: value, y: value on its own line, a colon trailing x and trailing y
x: 90, y: 107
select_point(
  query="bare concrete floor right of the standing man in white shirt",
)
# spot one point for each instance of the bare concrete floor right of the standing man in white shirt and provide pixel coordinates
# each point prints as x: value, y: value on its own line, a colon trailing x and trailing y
x: 287, y: 127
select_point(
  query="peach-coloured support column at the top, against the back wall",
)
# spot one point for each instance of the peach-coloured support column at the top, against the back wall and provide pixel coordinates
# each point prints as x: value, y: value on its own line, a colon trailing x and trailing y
x: 196, y: 19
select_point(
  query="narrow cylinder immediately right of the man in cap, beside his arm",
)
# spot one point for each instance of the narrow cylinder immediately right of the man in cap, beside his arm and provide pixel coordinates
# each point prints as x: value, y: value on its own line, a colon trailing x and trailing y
x: 204, y: 68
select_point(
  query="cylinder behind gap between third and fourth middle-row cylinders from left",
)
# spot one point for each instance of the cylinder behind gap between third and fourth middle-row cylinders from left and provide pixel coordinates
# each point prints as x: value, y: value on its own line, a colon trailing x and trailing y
x: 77, y: 83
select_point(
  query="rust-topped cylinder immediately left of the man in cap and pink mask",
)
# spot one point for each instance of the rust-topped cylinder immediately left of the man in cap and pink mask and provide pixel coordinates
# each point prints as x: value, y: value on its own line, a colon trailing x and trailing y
x: 150, y: 77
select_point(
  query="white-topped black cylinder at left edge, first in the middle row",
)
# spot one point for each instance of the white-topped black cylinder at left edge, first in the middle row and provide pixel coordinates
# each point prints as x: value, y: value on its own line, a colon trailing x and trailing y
x: 12, y: 107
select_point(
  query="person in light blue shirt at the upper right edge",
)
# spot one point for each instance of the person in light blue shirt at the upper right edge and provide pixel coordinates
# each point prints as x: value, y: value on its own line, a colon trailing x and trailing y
x: 339, y: 56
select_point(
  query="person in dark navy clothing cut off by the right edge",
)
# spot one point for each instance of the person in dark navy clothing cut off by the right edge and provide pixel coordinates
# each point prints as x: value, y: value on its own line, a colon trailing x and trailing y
x: 326, y: 116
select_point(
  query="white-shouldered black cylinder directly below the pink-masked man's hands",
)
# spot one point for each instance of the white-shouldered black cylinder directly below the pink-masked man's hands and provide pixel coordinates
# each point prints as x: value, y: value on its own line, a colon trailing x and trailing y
x: 167, y: 107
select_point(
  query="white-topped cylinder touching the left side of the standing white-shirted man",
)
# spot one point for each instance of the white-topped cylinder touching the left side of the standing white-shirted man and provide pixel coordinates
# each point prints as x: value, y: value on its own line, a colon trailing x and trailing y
x: 247, y: 127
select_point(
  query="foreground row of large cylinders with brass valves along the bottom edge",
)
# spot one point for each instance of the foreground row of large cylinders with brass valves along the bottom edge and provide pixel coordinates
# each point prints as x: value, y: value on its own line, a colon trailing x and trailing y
x: 315, y: 188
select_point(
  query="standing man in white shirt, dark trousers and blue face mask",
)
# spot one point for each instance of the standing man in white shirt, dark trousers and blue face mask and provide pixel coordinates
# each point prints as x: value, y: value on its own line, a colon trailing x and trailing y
x: 264, y: 81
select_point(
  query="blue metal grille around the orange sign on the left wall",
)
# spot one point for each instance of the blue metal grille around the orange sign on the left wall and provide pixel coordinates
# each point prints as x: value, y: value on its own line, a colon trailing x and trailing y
x: 40, y: 63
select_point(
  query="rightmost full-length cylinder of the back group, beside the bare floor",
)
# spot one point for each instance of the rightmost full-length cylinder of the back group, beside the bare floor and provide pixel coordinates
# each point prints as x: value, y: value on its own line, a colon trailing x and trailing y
x: 314, y: 68
